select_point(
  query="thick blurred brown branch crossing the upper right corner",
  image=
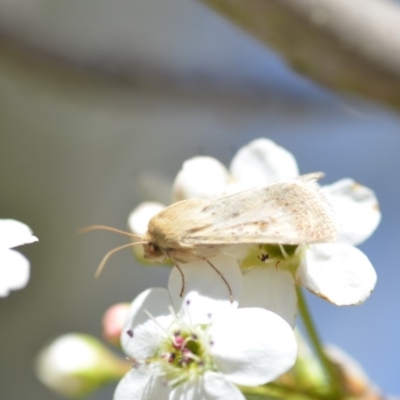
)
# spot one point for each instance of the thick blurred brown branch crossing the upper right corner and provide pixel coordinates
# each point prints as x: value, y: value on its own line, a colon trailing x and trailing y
x: 351, y: 46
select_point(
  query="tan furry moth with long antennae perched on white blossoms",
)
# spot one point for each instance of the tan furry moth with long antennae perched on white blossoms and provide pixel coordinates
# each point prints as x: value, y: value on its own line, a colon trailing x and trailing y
x: 292, y: 212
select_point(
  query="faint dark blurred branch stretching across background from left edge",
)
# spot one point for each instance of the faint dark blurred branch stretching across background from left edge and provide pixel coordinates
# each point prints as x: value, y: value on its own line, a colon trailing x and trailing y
x: 38, y: 70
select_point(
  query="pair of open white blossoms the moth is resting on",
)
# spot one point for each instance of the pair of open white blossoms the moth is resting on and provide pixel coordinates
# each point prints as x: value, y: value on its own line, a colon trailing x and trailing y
x: 198, y: 345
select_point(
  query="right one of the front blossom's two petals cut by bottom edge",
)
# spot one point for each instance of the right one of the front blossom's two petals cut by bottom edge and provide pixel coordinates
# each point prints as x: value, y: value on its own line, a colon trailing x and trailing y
x: 210, y: 386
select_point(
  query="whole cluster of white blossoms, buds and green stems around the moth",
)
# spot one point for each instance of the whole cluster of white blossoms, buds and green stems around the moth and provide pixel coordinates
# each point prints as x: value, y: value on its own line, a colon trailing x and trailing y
x: 225, y: 324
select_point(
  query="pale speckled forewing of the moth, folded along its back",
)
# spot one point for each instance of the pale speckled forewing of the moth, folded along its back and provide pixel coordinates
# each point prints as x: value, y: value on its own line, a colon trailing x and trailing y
x: 289, y: 212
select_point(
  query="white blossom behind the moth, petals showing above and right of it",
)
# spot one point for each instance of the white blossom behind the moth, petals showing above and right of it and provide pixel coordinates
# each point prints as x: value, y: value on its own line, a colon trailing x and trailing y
x: 337, y: 272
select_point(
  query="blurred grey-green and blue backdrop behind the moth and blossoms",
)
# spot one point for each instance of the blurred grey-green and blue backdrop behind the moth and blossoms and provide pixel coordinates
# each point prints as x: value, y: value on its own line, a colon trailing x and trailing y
x: 101, y: 102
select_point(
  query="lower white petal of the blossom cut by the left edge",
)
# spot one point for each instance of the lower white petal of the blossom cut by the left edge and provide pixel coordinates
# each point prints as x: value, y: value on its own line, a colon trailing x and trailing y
x: 14, y: 271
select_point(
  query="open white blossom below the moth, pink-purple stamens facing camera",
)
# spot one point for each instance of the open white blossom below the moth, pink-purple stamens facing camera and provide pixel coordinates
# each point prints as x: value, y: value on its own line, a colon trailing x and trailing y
x: 201, y: 350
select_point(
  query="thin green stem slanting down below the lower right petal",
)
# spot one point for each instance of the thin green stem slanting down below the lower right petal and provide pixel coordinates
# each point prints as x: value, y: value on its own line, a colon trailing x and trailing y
x: 328, y: 368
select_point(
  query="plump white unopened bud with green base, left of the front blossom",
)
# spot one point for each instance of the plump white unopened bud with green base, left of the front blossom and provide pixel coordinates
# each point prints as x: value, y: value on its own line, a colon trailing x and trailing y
x: 76, y: 365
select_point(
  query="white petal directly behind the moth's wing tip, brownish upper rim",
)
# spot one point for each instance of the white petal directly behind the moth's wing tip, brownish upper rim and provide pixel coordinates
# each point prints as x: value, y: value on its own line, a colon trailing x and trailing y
x: 356, y: 209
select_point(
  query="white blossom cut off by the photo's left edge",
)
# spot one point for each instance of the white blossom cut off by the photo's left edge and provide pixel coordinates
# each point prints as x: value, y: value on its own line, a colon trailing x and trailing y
x: 14, y: 267
